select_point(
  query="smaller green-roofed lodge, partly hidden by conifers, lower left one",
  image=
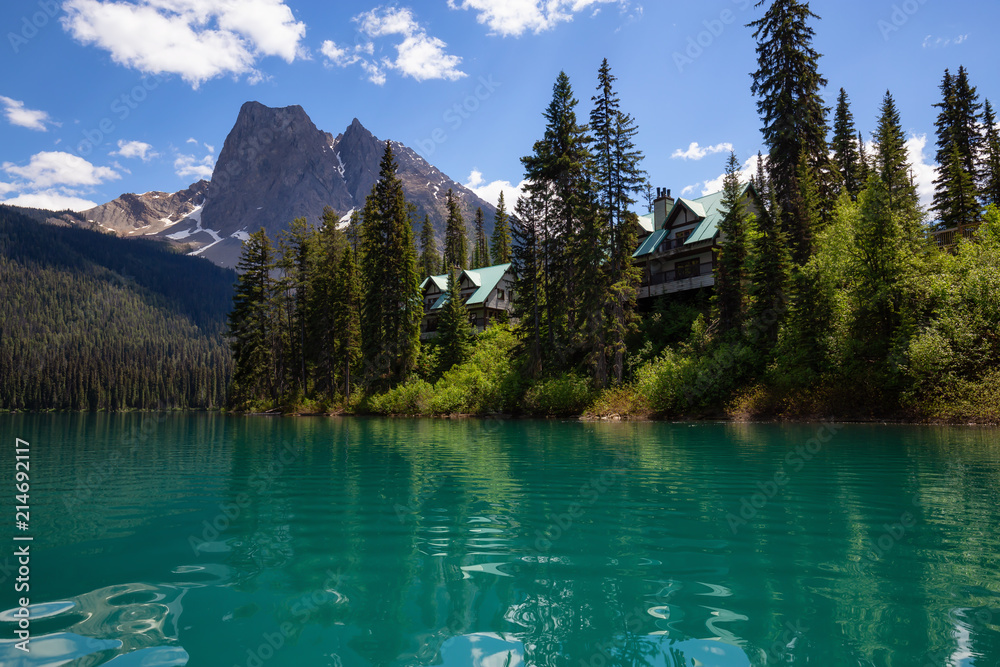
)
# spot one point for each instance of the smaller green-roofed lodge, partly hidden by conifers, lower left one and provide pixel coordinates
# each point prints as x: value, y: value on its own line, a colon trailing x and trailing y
x: 487, y: 293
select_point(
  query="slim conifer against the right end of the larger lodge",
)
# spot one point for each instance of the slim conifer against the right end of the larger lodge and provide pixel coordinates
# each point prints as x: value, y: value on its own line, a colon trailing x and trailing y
x: 731, y: 270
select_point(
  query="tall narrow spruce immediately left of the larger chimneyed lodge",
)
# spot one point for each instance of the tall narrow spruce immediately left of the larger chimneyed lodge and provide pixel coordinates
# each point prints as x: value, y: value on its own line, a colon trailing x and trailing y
x: 618, y: 179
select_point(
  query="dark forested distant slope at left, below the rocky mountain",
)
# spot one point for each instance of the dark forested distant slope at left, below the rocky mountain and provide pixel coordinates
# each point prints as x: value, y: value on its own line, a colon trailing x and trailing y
x: 91, y: 321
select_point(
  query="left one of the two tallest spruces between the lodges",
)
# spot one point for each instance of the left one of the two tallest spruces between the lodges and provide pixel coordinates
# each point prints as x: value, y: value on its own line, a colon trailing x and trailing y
x: 557, y: 174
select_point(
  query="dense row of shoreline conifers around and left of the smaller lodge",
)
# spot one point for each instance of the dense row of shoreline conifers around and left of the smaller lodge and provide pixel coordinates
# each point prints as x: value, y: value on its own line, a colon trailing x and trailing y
x: 328, y: 308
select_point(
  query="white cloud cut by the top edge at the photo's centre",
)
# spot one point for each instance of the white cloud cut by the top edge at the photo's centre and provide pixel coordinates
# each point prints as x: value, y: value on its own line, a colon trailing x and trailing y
x: 511, y: 18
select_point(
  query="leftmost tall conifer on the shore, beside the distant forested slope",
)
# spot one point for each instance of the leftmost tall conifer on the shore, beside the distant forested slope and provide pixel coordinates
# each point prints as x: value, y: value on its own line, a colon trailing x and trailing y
x: 251, y: 323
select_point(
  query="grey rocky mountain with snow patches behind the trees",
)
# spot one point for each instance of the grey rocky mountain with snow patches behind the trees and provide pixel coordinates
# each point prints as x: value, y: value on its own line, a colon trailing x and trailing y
x: 275, y: 166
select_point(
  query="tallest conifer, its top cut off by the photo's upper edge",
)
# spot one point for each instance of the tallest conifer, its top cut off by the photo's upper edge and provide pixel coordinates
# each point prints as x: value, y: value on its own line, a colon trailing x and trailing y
x: 788, y: 83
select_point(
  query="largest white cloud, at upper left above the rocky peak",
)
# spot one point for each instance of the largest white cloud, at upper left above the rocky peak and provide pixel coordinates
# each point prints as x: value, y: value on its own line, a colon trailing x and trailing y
x: 196, y: 39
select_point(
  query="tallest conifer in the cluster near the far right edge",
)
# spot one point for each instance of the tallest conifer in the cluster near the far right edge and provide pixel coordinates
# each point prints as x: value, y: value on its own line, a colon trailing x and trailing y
x: 959, y: 147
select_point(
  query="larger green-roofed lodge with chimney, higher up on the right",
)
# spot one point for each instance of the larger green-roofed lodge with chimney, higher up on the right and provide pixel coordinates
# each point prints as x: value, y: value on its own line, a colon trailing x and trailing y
x: 679, y: 242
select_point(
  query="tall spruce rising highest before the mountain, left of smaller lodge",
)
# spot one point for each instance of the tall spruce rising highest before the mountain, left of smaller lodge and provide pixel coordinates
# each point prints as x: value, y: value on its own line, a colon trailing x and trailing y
x: 392, y: 304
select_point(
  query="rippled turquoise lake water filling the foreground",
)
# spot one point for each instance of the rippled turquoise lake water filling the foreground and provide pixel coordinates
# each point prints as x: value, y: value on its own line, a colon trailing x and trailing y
x: 230, y: 541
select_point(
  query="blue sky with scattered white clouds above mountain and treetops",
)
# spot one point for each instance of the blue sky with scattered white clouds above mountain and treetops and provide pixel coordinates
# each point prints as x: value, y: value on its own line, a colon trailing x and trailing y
x: 101, y: 97
